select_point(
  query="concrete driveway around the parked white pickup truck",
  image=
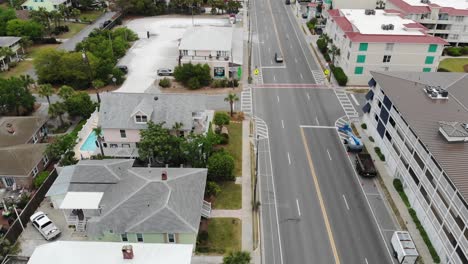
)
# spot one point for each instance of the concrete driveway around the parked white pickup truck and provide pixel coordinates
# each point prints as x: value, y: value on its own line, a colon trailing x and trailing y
x: 31, y: 238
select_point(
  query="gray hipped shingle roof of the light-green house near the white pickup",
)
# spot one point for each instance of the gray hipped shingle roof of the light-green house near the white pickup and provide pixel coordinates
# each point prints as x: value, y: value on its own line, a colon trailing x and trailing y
x: 139, y: 201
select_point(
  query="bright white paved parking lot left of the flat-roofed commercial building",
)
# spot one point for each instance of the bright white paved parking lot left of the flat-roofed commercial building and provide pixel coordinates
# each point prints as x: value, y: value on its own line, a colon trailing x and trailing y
x: 160, y: 50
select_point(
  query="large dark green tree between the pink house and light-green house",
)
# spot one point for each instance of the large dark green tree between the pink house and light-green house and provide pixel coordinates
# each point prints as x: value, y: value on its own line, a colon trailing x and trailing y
x: 157, y: 144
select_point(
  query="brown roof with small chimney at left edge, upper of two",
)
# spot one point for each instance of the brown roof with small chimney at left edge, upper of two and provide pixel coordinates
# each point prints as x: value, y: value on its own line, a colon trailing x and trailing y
x: 24, y: 128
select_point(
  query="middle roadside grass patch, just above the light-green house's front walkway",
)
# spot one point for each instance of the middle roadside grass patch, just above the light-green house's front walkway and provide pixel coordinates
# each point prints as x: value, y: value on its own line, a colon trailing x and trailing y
x: 230, y: 196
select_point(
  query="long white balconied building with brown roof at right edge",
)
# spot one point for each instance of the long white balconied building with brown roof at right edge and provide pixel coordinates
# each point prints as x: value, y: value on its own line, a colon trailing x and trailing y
x: 419, y: 121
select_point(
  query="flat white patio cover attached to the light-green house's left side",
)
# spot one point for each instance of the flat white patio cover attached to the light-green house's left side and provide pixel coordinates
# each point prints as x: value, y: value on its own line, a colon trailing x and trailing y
x: 82, y: 200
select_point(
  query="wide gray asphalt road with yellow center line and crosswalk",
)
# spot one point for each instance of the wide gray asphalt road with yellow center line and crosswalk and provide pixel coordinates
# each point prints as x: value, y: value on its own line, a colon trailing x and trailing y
x: 315, y: 209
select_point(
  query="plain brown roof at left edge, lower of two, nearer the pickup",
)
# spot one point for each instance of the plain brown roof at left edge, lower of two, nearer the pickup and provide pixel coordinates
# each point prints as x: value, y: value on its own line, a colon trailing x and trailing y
x: 20, y: 160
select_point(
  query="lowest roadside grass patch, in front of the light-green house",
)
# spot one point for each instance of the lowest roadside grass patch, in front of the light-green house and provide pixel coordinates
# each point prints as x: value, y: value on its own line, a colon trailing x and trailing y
x: 224, y: 235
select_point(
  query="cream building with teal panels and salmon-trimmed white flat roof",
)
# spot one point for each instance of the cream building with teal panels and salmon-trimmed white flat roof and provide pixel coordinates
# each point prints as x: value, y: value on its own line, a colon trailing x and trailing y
x: 380, y: 40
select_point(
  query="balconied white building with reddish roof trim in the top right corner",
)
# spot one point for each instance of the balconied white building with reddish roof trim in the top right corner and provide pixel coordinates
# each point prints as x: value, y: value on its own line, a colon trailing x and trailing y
x: 447, y: 19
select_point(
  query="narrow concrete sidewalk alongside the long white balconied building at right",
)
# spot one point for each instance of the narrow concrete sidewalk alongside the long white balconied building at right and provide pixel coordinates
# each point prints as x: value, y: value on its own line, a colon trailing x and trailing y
x: 387, y: 178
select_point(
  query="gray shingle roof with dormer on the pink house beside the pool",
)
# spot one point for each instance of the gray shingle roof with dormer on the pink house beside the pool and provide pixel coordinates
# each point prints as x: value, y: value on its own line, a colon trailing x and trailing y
x: 117, y: 109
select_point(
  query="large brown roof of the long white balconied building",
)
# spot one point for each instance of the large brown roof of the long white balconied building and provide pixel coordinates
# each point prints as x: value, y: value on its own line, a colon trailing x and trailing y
x: 406, y: 91
